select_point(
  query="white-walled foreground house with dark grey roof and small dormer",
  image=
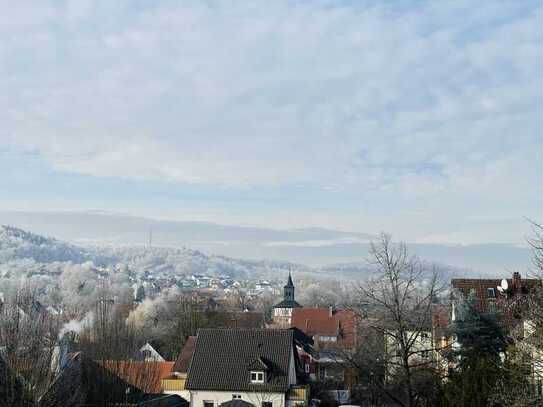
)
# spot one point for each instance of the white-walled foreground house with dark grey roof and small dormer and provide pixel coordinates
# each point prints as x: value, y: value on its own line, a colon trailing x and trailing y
x: 244, y: 367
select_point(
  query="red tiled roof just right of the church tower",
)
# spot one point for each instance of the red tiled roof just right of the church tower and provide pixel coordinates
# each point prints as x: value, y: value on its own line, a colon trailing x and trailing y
x: 320, y: 322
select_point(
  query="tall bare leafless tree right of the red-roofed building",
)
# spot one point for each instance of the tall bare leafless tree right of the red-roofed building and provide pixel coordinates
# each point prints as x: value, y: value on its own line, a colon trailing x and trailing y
x: 398, y: 302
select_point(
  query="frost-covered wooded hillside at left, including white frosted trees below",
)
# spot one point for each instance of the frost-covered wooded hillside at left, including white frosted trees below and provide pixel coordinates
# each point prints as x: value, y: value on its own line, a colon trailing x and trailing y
x: 71, y: 275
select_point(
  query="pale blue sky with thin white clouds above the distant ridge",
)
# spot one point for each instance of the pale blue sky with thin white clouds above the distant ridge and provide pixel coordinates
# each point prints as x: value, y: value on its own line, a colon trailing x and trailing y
x: 419, y: 118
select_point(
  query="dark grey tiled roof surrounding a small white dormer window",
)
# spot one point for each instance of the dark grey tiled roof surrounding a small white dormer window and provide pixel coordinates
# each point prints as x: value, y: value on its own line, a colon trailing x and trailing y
x: 223, y: 359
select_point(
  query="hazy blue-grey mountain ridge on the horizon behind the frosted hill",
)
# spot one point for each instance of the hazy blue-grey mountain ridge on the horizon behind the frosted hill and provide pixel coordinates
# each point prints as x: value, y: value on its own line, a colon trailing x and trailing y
x: 316, y: 247
